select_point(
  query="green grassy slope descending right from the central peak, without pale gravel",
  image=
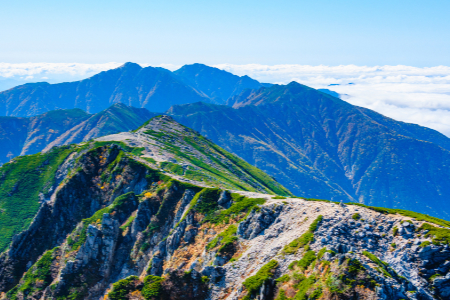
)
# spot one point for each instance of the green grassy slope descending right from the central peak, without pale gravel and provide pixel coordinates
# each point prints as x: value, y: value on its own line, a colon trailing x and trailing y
x: 224, y: 168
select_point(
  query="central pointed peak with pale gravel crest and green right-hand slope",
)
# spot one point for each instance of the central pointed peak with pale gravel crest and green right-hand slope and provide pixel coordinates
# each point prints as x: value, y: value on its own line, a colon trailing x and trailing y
x: 183, y: 152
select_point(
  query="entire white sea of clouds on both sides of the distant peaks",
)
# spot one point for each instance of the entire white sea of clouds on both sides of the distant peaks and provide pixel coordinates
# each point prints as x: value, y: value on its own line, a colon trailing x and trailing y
x: 409, y: 94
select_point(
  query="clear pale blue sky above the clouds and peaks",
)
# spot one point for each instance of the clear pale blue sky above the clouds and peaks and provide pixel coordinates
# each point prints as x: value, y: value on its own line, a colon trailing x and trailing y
x: 414, y: 33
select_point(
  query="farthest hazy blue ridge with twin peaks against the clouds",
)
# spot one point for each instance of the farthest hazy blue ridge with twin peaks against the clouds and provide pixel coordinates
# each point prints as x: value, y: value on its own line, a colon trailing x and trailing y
x: 156, y: 89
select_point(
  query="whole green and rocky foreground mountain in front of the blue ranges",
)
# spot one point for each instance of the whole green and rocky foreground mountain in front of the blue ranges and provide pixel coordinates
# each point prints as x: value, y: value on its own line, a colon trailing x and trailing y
x: 121, y: 218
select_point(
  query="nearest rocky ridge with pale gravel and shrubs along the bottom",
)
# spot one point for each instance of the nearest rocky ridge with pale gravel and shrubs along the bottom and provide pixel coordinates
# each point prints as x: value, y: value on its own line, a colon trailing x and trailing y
x: 315, y: 250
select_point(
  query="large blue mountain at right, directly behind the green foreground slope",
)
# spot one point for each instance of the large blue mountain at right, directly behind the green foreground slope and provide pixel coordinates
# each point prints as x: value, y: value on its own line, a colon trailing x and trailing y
x: 322, y: 147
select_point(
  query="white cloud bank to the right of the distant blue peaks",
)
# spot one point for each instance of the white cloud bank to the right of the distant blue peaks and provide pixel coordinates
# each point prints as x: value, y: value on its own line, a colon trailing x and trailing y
x: 409, y: 94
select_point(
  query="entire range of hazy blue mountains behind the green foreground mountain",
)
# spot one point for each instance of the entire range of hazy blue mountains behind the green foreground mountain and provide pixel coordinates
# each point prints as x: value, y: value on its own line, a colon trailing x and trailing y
x: 313, y: 143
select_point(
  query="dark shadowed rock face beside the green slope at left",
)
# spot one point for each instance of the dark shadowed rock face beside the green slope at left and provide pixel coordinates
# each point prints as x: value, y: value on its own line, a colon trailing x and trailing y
x: 79, y: 198
